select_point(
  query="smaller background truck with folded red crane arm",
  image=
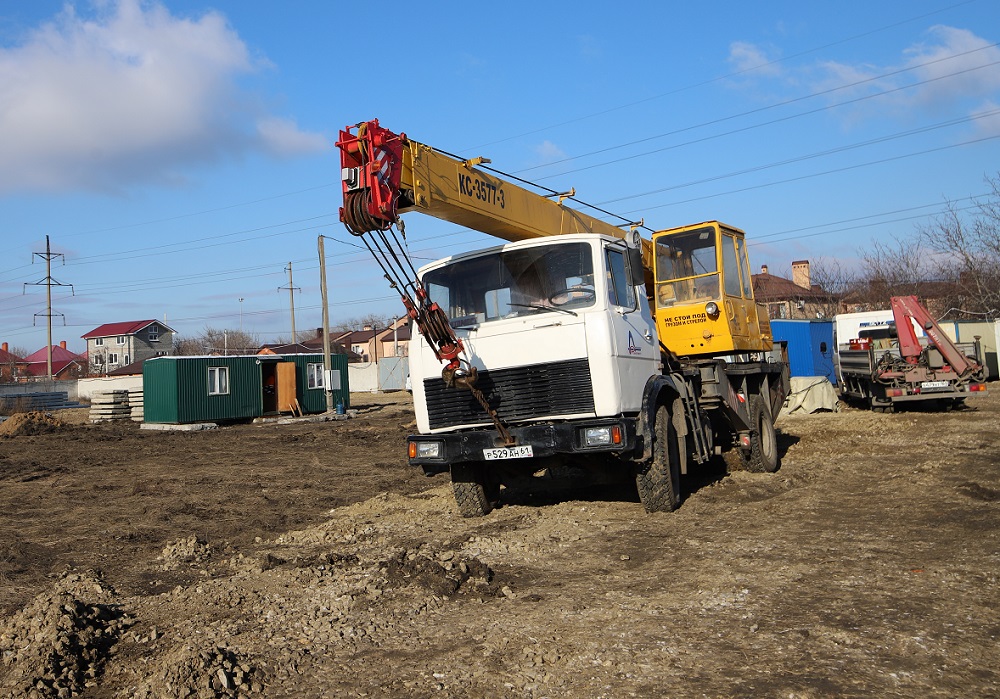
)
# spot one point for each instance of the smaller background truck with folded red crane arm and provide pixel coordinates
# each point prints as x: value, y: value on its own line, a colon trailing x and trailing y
x: 890, y: 357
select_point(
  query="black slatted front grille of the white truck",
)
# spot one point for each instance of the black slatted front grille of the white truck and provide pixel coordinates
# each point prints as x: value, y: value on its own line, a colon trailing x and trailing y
x: 522, y: 393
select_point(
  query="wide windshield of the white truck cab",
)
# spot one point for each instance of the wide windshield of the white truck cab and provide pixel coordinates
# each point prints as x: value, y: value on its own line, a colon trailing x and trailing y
x: 546, y: 278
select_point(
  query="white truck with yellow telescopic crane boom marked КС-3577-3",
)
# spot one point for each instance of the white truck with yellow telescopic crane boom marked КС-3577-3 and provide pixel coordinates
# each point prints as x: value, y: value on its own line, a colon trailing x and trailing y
x: 574, y: 339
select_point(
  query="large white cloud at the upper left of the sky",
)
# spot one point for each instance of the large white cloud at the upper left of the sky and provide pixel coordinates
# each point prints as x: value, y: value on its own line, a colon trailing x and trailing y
x: 132, y: 94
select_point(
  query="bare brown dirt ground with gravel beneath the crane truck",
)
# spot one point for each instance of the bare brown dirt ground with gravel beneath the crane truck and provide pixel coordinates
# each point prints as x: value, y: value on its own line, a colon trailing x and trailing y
x: 308, y: 560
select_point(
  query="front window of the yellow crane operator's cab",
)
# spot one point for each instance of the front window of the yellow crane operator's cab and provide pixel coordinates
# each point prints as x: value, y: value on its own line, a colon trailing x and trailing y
x: 686, y: 267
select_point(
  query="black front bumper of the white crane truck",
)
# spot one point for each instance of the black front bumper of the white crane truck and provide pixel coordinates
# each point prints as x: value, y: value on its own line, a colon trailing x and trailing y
x: 545, y: 439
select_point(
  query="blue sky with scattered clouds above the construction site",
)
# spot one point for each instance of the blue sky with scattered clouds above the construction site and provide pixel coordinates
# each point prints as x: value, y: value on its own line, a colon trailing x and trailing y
x: 180, y: 153
